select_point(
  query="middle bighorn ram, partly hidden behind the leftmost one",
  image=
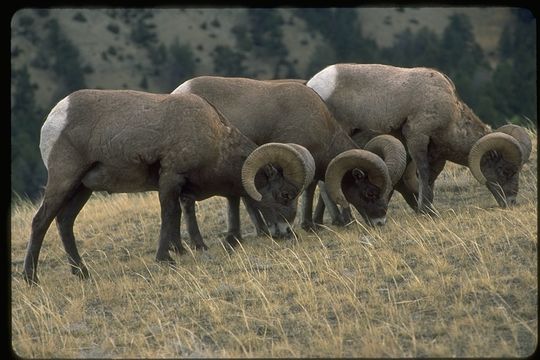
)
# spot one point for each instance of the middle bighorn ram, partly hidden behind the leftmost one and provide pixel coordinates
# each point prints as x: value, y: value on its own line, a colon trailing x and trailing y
x: 286, y: 111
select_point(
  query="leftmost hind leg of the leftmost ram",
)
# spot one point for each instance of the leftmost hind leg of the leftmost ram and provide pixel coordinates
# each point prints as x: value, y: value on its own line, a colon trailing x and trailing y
x: 60, y: 187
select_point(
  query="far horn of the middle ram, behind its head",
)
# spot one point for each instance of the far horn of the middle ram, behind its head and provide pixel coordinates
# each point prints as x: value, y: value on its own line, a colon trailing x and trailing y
x: 393, y: 153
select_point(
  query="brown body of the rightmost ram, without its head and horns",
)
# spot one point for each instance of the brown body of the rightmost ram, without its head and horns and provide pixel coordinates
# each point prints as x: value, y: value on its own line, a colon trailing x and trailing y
x: 419, y: 104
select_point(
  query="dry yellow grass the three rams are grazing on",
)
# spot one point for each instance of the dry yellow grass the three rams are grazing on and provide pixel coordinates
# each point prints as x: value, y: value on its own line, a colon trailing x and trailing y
x: 464, y: 284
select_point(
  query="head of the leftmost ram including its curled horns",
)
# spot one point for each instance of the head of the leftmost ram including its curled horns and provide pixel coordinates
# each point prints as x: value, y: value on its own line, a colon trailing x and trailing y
x: 274, y: 175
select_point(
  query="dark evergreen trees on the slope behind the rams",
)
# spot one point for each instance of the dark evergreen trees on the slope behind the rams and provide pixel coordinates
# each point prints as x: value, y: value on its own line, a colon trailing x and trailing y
x: 500, y: 94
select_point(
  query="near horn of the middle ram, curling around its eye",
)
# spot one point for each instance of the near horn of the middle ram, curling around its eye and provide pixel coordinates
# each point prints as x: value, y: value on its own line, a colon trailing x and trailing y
x: 351, y: 159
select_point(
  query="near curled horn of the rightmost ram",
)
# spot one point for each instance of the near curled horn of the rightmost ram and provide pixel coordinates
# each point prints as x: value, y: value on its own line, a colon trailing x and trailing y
x: 504, y: 144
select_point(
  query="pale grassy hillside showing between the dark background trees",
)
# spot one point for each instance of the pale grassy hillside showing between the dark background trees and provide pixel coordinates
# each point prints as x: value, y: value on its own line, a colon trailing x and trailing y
x: 105, y: 40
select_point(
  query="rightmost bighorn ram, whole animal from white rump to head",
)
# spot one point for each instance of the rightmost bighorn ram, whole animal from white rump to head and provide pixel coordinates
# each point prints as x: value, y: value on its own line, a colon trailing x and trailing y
x: 421, y: 106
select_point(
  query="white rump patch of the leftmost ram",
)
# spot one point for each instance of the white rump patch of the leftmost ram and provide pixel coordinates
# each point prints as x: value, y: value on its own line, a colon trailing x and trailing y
x: 52, y: 128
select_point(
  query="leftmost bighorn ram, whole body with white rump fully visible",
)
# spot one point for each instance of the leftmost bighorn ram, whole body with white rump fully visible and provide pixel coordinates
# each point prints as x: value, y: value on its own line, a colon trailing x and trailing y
x: 179, y: 145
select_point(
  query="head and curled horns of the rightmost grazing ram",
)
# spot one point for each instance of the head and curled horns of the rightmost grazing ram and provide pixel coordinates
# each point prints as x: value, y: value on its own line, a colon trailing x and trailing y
x: 496, y: 159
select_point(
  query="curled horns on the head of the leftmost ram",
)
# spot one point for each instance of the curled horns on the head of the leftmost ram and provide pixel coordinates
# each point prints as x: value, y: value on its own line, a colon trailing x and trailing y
x: 297, y: 166
